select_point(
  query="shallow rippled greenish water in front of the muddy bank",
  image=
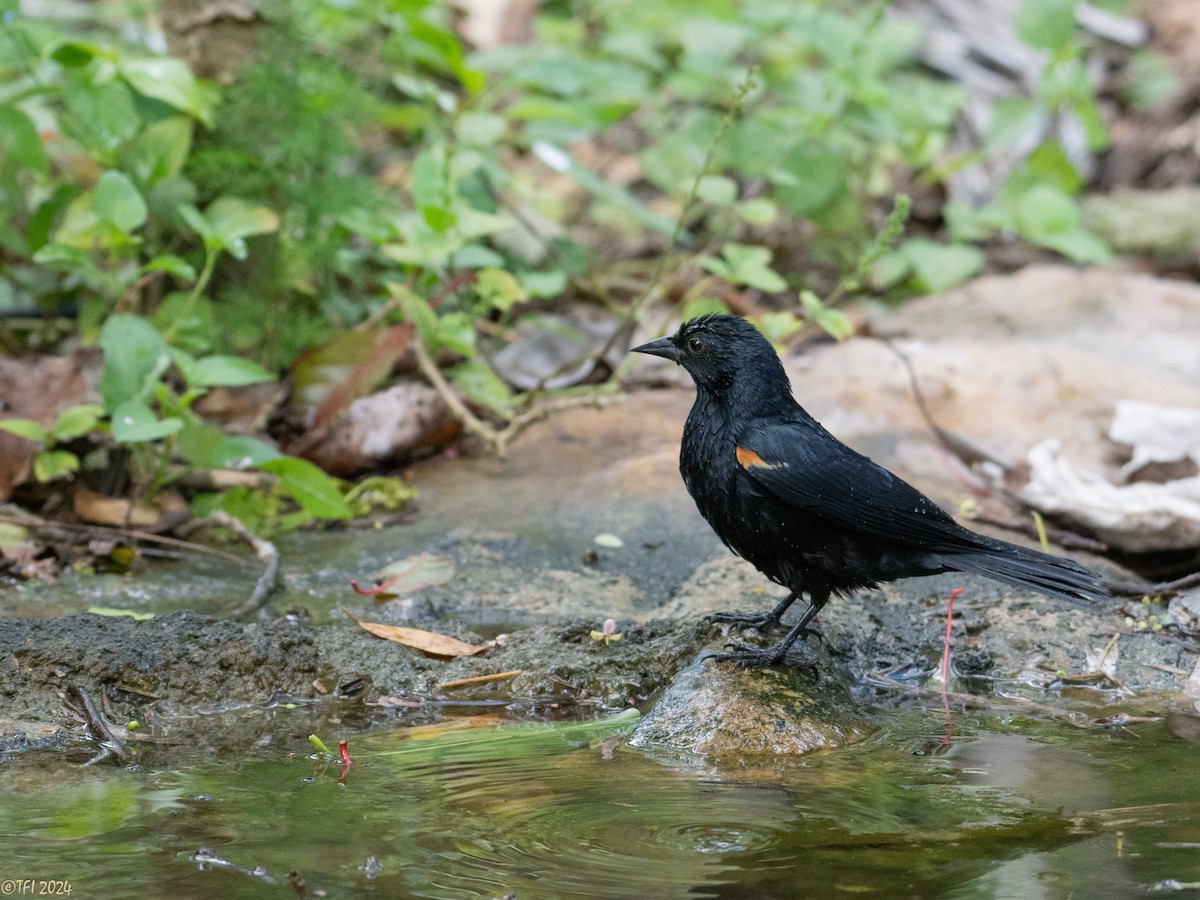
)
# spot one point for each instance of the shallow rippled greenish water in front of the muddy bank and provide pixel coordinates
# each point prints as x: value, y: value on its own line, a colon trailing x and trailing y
x: 1007, y: 808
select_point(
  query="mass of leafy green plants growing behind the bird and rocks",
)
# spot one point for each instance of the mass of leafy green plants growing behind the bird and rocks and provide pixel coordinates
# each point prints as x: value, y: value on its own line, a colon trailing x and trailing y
x: 368, y: 169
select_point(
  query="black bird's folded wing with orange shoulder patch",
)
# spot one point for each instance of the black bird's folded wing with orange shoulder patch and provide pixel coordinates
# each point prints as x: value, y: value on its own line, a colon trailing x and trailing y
x: 805, y: 466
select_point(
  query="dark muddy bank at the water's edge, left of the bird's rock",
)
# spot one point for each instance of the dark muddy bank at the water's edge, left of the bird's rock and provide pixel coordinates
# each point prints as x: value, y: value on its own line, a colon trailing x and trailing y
x: 203, y: 687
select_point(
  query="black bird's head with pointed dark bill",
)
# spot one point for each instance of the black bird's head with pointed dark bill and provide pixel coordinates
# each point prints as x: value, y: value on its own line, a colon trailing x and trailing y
x: 723, y: 355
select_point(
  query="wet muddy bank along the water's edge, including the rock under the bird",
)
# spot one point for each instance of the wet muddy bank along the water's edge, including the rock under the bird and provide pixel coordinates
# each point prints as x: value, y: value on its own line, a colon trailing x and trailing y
x: 205, y: 687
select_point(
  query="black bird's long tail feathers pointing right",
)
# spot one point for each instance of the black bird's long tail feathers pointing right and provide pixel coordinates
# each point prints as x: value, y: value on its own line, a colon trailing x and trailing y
x: 1030, y: 569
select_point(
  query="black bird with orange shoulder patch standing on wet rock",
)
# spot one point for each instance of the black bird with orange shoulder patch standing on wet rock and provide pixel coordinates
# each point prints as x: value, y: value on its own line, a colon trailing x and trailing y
x: 808, y: 512
